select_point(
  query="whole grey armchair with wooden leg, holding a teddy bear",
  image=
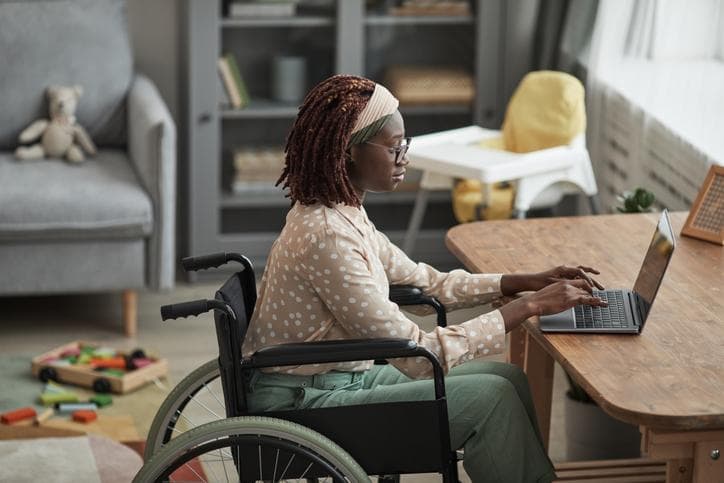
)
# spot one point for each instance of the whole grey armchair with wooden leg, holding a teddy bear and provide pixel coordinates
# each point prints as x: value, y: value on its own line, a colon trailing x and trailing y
x: 107, y: 224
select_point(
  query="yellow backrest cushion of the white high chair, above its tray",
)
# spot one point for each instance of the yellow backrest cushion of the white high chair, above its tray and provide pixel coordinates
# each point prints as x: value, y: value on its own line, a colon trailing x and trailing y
x: 546, y: 110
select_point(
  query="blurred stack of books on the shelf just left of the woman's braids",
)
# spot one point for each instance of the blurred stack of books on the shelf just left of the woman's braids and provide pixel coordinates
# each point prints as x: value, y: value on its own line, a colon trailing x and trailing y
x: 257, y: 169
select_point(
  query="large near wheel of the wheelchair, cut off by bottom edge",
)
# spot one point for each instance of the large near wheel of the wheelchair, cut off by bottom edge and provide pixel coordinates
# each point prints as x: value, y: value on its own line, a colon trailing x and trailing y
x: 249, y: 449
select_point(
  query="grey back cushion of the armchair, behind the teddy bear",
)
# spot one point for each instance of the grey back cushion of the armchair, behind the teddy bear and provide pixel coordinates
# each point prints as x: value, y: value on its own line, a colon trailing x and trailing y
x: 48, y: 42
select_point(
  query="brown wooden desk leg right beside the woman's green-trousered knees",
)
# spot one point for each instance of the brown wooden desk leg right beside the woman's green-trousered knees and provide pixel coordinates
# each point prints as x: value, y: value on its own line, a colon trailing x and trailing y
x: 539, y: 368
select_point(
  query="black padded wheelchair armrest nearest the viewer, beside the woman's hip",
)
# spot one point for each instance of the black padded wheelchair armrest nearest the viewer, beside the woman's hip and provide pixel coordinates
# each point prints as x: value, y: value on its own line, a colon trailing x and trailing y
x: 326, y: 351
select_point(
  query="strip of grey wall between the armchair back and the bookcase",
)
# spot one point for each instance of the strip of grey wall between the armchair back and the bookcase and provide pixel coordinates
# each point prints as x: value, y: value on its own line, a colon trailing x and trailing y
x: 154, y: 26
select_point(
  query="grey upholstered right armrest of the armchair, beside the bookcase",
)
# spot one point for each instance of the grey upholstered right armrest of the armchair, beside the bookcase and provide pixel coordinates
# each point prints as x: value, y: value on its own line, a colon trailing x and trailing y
x: 152, y: 151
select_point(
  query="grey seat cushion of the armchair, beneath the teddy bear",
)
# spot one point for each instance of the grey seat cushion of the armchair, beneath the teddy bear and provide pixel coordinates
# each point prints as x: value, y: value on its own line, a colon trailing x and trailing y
x: 52, y: 199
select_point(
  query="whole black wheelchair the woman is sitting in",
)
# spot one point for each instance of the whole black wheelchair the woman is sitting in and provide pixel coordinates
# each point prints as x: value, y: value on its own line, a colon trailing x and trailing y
x: 203, y: 431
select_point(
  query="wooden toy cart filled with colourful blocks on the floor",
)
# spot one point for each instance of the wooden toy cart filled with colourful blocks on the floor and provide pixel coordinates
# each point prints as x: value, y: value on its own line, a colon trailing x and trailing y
x: 116, y: 371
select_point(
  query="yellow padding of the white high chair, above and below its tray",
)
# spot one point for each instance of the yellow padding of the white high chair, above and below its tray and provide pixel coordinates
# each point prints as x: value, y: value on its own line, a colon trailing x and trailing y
x: 547, y: 109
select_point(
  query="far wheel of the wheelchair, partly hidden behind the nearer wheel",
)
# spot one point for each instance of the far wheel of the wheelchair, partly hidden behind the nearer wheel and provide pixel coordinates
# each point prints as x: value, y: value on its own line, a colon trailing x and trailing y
x: 198, y: 399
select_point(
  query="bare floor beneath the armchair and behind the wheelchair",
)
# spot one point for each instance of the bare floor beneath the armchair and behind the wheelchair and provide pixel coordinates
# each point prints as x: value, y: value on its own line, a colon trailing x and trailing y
x: 32, y: 325
